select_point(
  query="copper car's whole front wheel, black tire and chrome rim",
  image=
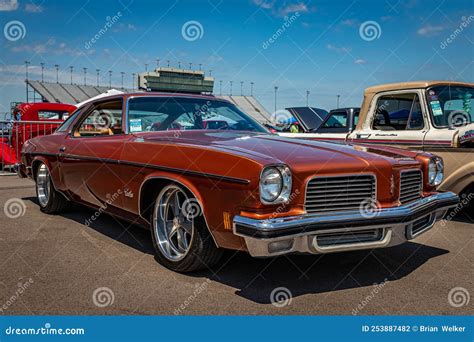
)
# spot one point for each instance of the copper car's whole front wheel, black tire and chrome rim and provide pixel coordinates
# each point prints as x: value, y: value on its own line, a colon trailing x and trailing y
x: 180, y: 236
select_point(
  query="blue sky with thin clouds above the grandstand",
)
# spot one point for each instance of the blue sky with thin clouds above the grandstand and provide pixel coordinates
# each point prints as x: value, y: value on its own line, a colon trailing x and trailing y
x: 296, y: 45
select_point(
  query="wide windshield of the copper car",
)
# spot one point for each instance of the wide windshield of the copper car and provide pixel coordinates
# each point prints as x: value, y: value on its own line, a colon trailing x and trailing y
x: 147, y: 113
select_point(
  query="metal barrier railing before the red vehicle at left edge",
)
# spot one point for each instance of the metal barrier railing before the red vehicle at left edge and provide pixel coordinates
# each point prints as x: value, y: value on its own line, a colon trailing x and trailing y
x: 13, y: 134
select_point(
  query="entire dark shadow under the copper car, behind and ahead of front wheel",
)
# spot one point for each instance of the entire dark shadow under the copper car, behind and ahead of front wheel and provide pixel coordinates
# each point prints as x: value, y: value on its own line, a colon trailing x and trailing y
x: 256, y: 278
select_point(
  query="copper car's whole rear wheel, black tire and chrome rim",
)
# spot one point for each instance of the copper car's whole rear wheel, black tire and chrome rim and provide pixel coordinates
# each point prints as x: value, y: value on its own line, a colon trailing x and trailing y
x: 50, y: 201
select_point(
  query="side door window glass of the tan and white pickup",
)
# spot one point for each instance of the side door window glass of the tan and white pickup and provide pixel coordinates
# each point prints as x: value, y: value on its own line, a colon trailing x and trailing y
x: 398, y: 112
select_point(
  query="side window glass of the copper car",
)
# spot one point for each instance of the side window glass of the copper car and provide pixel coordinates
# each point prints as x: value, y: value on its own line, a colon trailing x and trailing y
x: 104, y: 119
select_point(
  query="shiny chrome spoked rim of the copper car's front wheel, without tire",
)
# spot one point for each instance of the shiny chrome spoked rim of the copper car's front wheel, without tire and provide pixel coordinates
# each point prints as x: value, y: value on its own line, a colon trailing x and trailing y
x: 172, y: 227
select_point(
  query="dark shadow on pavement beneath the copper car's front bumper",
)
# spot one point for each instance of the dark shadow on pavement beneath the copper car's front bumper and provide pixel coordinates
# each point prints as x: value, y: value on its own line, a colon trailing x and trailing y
x: 256, y: 279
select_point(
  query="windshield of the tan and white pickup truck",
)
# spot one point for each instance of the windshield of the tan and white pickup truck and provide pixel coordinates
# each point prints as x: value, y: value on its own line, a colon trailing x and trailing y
x: 451, y: 105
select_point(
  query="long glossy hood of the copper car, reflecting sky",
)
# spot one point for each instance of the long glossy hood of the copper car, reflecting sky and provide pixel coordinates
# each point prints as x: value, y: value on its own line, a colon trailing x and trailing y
x: 296, y: 153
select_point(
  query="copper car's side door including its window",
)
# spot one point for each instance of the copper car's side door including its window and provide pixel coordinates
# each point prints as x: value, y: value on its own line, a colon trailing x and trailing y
x: 89, y: 157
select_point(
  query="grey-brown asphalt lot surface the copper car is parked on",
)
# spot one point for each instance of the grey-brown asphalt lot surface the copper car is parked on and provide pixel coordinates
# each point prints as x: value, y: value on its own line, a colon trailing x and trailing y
x: 54, y: 265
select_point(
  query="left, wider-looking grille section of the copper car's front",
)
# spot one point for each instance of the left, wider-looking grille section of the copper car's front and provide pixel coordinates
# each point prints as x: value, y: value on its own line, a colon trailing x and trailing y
x: 339, y: 193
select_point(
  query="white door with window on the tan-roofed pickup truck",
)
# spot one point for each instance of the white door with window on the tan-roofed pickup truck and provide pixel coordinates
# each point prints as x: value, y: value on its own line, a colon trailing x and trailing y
x: 395, y: 118
